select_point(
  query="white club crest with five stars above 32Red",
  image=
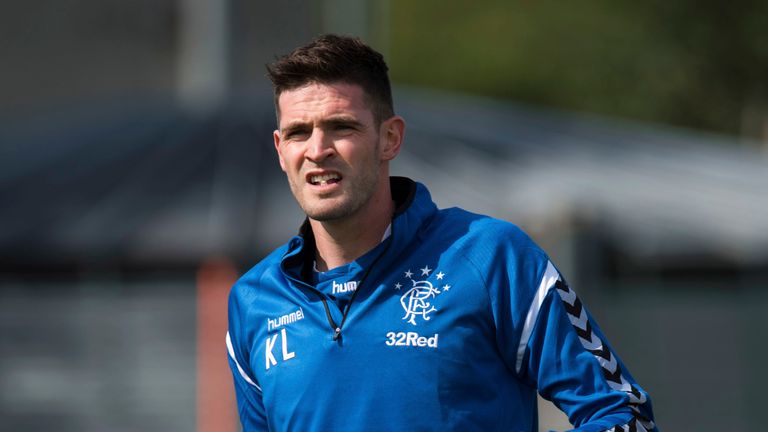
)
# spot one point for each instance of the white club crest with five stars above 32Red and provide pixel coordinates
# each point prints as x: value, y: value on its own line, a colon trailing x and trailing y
x: 418, y: 300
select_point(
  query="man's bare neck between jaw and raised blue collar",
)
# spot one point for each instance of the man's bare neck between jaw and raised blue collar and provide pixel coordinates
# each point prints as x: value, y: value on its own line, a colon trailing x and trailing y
x: 340, y: 242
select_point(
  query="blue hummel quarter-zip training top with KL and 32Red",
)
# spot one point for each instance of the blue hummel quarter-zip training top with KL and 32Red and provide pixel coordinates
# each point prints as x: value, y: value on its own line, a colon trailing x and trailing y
x: 430, y: 341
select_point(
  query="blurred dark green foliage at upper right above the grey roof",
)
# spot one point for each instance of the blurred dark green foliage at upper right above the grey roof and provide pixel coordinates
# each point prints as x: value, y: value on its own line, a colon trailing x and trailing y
x: 694, y: 64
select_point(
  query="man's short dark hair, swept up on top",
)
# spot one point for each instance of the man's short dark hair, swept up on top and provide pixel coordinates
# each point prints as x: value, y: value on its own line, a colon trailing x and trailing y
x: 330, y: 59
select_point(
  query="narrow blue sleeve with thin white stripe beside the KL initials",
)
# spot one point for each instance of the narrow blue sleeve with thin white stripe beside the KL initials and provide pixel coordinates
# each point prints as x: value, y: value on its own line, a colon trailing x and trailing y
x: 250, y: 403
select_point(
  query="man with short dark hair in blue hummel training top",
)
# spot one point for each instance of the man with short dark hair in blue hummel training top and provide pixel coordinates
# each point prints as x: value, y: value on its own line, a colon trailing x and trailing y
x: 386, y: 313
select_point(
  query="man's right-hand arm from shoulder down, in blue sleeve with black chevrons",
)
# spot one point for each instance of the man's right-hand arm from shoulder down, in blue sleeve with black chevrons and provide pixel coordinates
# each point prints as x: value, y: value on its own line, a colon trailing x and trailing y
x: 545, y: 335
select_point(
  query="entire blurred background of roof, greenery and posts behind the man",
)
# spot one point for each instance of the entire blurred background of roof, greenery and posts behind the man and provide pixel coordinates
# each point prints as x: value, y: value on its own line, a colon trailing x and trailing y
x: 137, y: 180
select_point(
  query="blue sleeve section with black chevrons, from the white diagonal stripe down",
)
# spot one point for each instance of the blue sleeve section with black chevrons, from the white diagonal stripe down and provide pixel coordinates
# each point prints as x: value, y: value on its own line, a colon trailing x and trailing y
x: 562, y: 350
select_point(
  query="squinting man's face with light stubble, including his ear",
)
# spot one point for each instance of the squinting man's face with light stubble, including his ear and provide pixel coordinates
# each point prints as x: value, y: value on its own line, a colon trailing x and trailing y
x: 334, y: 155
